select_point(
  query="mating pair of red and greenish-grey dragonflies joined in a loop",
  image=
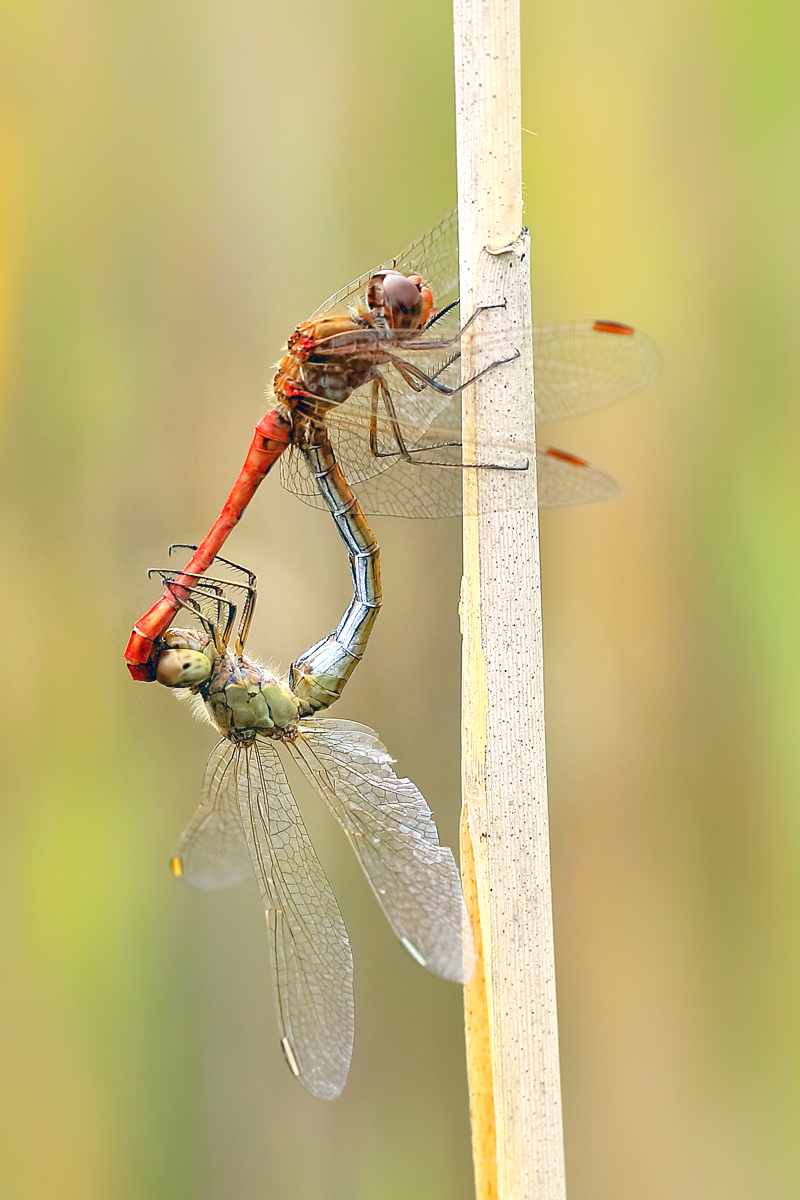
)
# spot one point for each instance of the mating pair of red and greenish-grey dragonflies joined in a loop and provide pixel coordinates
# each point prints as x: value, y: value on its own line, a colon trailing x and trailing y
x: 368, y: 394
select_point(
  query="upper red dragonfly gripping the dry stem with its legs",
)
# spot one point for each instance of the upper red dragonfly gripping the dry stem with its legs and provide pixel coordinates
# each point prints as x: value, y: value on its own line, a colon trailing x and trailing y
x: 380, y: 365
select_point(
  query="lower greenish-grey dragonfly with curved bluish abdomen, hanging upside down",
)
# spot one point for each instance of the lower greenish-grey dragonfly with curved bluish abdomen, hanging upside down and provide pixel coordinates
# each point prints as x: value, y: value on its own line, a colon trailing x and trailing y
x: 249, y: 821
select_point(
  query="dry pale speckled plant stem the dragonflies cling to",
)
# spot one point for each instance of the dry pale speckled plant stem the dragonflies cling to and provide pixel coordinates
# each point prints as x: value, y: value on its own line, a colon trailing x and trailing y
x: 504, y: 773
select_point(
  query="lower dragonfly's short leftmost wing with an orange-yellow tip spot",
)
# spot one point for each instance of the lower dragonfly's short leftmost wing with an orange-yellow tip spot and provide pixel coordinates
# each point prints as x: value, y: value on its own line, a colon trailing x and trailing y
x: 213, y: 853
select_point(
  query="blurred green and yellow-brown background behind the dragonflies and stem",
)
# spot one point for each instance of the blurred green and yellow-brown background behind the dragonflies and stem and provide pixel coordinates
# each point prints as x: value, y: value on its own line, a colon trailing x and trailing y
x: 182, y: 184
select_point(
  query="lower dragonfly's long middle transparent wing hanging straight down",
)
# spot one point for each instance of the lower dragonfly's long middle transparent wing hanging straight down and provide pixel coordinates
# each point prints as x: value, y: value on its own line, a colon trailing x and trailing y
x: 310, y: 951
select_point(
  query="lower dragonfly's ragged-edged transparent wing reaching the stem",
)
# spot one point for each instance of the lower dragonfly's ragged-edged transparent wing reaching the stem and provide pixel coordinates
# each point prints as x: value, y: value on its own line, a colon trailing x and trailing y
x: 392, y: 830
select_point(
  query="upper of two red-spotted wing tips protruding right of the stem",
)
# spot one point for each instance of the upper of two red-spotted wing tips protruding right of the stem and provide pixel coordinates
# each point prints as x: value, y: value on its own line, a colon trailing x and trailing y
x: 588, y: 364
